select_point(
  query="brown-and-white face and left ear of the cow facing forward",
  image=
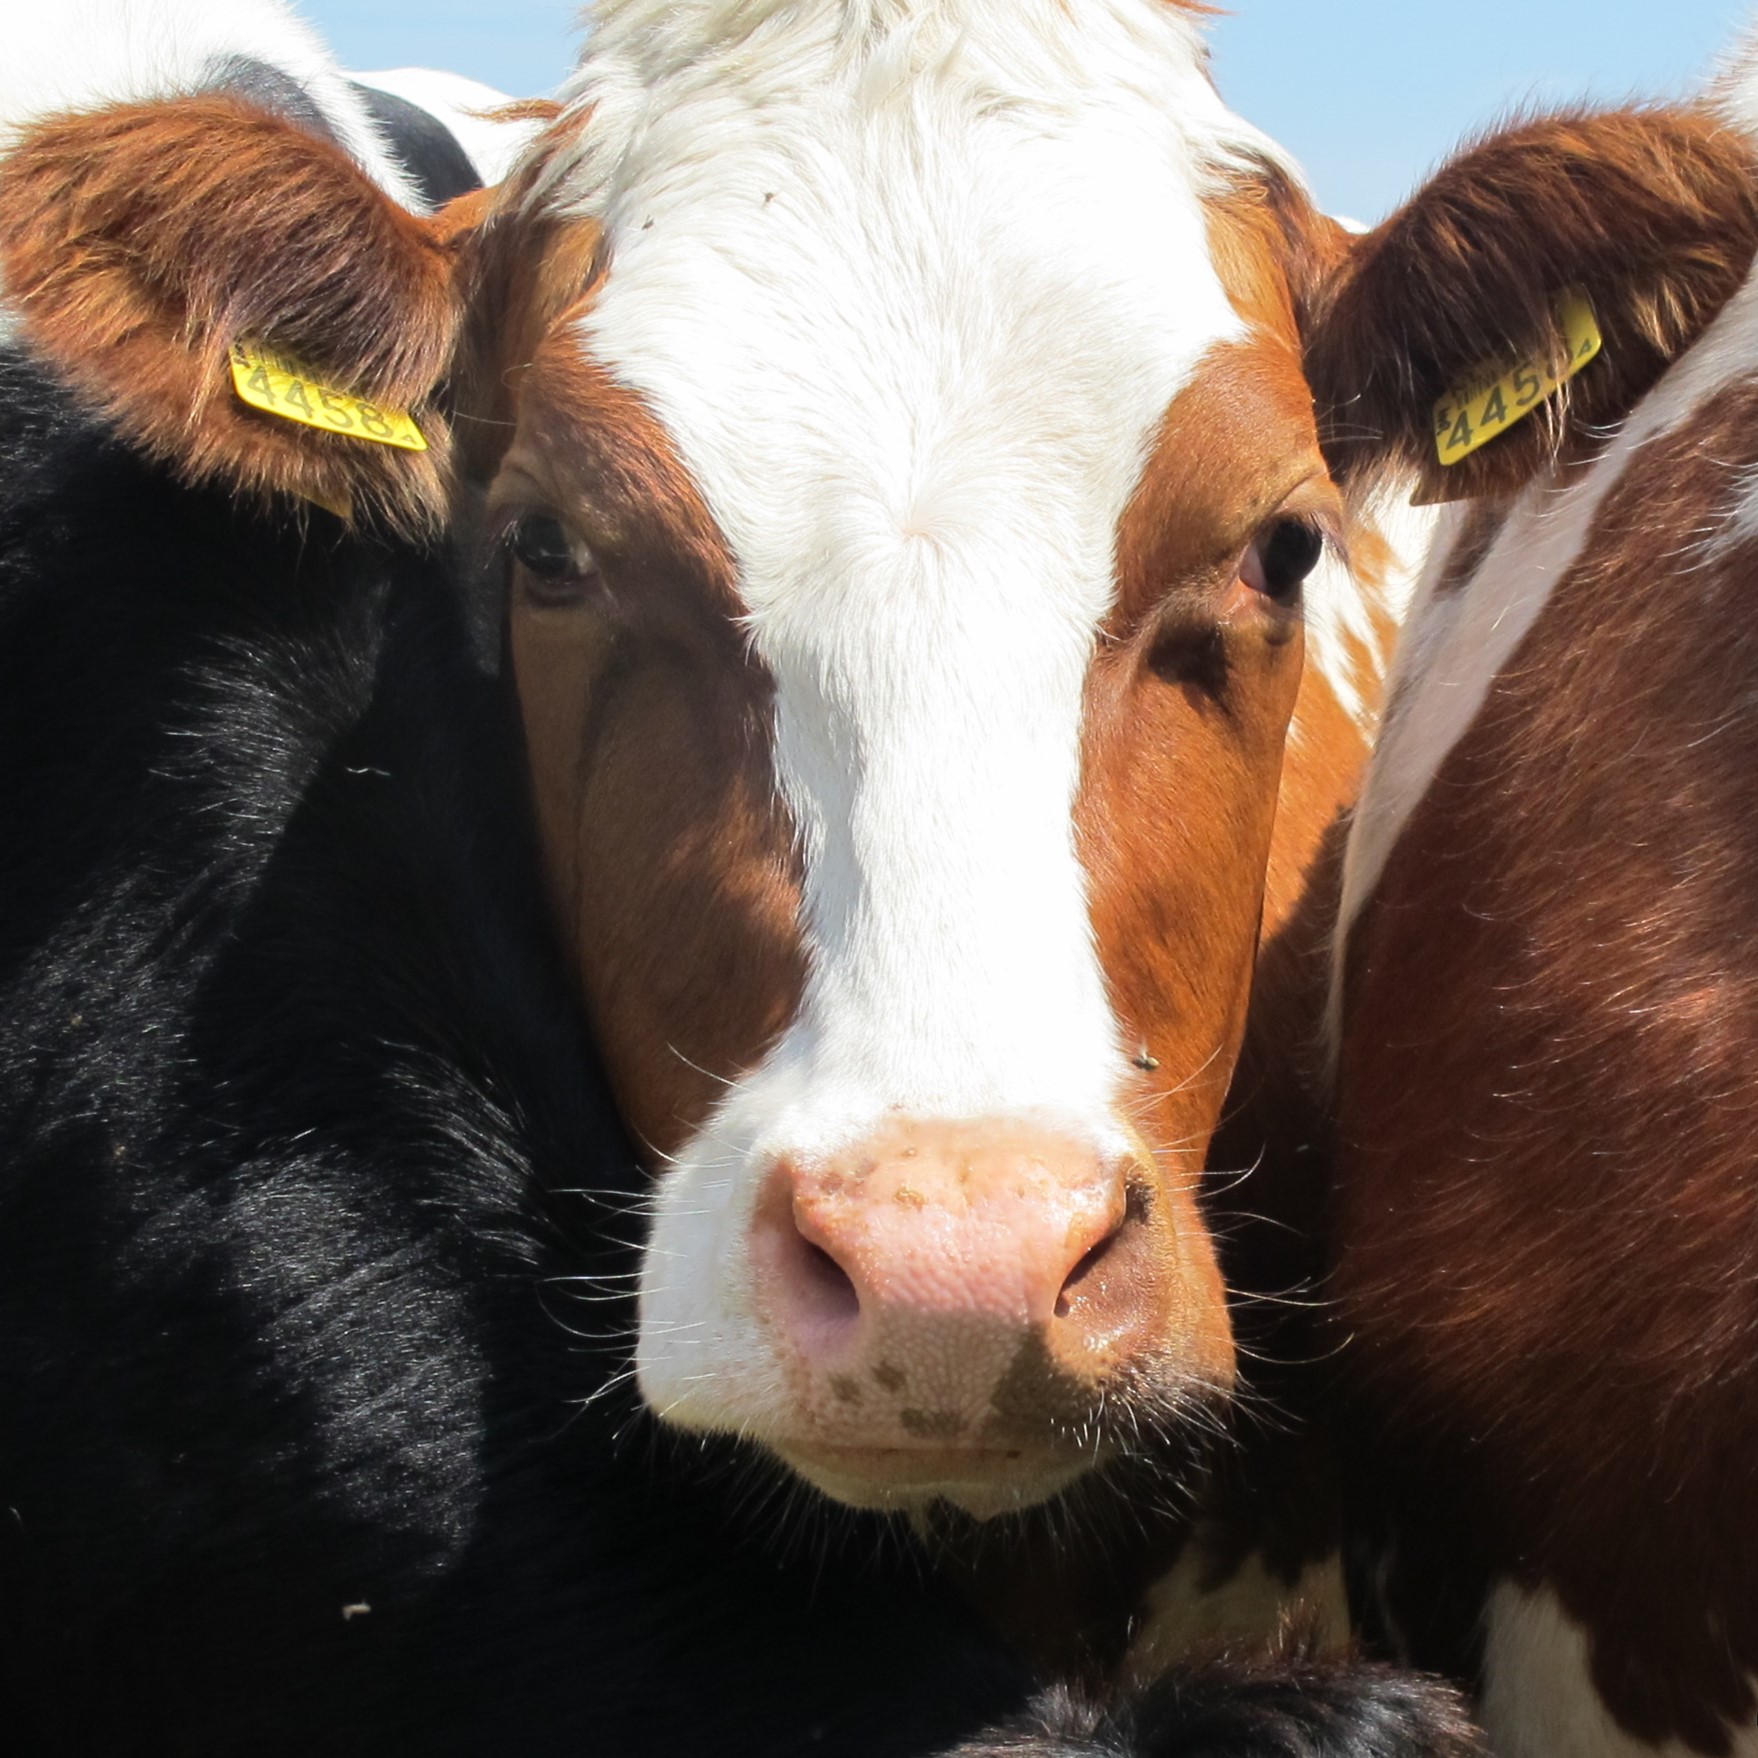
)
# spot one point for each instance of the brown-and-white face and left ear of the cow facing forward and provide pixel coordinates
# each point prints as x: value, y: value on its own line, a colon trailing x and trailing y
x: 892, y: 426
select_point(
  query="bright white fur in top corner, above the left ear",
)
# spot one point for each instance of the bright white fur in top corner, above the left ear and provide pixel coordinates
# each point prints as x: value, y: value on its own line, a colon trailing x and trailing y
x: 89, y: 54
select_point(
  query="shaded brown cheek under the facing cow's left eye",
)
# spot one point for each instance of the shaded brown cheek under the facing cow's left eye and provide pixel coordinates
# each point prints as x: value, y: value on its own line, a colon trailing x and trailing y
x: 667, y: 855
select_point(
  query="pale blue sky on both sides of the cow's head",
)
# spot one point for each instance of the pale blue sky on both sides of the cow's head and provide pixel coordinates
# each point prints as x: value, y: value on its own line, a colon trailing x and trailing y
x: 1367, y: 94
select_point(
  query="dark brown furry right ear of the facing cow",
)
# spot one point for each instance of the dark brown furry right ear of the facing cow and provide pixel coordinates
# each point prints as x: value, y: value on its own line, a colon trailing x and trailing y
x: 1648, y: 219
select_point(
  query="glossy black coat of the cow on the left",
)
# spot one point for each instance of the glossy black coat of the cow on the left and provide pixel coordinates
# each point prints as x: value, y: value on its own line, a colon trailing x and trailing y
x: 307, y: 1441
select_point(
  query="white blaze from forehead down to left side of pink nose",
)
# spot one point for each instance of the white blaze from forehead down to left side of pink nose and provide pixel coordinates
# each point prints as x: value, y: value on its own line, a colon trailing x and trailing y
x: 912, y: 298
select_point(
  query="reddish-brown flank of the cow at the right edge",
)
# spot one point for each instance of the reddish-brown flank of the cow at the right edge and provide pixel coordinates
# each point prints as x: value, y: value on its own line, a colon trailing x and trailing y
x: 1546, y: 1112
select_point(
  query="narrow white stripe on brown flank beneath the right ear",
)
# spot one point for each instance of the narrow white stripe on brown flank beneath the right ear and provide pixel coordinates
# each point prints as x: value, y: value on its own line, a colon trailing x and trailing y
x: 1458, y: 643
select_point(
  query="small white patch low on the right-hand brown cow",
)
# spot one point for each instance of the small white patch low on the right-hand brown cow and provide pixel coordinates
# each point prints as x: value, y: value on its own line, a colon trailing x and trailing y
x: 1539, y: 1696
